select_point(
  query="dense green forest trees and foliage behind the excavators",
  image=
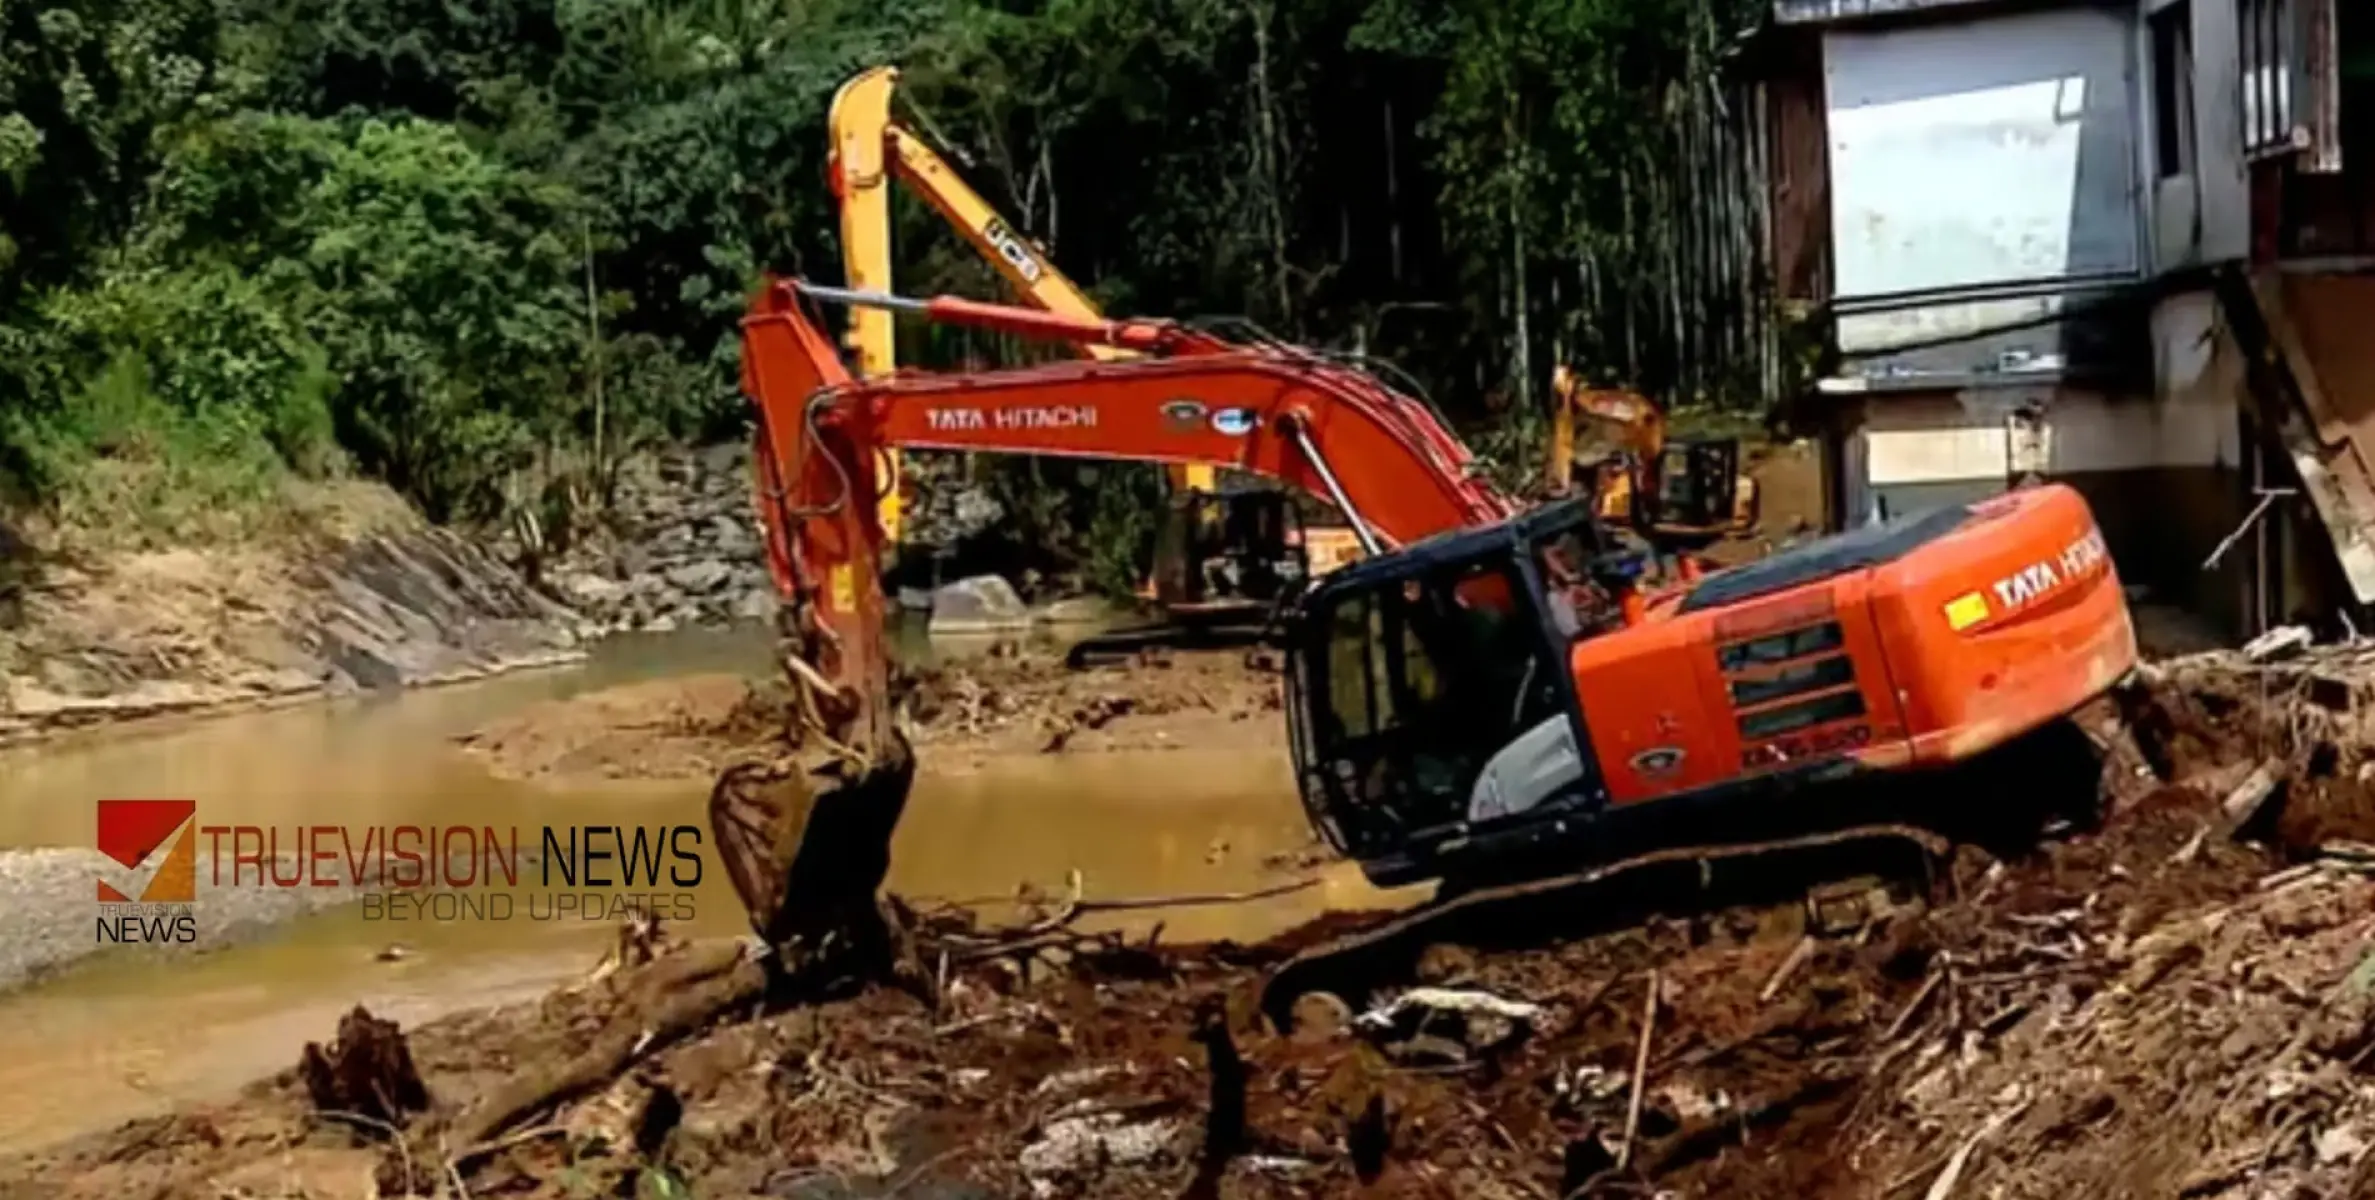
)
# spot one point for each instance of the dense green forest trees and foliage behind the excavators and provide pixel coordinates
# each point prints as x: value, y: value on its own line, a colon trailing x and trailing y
x: 486, y: 248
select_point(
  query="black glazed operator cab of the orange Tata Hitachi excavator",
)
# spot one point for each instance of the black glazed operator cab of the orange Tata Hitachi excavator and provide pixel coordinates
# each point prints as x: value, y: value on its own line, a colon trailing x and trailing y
x: 1431, y: 690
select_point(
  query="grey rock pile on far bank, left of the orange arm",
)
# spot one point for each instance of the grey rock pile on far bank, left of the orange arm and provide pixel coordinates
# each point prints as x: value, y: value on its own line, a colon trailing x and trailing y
x: 683, y: 548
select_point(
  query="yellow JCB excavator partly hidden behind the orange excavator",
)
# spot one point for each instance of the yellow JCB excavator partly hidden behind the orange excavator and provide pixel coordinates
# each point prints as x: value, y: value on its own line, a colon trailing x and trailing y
x: 1222, y: 555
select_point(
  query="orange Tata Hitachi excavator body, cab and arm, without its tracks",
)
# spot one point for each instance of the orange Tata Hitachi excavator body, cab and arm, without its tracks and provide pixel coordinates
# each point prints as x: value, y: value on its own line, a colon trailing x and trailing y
x: 1488, y: 686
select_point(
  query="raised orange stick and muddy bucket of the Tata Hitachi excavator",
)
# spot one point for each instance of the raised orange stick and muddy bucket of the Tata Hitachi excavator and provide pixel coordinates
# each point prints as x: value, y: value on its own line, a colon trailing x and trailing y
x: 806, y: 838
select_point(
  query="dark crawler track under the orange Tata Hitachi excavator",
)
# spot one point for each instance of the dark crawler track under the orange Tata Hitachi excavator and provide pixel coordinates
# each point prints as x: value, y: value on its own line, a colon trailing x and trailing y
x: 1355, y: 964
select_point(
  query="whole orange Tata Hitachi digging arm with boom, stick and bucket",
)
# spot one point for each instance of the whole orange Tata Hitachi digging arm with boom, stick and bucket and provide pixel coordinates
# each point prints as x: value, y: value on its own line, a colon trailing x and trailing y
x: 1184, y: 400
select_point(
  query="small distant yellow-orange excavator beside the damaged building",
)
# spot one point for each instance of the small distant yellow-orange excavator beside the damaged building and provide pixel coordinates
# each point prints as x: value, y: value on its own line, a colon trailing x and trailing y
x: 1692, y: 488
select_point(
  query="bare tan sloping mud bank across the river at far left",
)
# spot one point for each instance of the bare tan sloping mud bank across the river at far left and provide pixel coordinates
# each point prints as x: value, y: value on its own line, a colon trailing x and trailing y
x: 374, y: 602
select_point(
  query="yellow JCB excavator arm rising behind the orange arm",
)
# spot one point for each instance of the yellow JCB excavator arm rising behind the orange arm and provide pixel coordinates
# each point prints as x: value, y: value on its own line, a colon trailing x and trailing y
x: 870, y: 151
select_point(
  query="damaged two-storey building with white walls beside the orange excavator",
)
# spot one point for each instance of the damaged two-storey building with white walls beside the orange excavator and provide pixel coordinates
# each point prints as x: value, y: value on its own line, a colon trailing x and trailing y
x: 2127, y: 246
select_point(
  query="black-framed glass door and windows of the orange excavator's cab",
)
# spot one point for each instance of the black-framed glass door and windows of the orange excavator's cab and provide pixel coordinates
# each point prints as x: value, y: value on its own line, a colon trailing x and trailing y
x: 1429, y: 678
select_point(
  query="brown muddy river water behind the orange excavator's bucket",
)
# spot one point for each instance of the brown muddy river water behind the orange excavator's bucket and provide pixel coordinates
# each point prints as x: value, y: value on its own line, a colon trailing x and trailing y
x: 122, y: 1035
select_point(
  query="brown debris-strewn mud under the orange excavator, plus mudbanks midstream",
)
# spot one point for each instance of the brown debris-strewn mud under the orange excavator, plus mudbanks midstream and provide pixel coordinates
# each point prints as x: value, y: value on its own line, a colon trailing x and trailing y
x: 2174, y: 997
